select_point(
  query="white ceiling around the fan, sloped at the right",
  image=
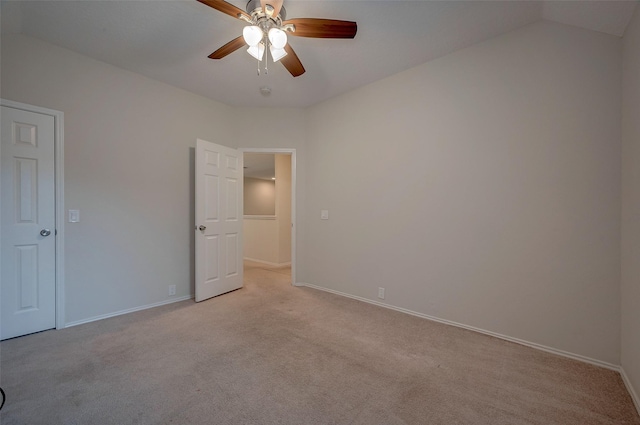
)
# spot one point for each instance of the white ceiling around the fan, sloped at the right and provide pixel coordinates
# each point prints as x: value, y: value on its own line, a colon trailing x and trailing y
x: 170, y: 40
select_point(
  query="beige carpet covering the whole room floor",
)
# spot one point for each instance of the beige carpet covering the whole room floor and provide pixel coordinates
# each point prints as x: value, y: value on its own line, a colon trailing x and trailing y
x: 274, y: 354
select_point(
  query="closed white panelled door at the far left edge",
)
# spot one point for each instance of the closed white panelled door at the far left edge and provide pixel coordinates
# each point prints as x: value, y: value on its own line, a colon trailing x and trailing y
x: 28, y: 288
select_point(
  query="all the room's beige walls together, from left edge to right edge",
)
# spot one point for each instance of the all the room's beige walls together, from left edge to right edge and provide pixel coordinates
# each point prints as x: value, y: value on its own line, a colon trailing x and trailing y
x: 483, y: 187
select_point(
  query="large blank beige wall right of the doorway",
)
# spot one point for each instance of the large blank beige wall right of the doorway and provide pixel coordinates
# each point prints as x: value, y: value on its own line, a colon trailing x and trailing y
x: 482, y: 188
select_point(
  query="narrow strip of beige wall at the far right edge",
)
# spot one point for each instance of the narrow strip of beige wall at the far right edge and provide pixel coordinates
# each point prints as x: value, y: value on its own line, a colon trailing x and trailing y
x: 631, y: 204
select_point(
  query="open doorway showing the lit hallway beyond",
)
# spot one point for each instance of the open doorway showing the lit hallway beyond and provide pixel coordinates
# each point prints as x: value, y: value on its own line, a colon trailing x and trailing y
x: 269, y: 215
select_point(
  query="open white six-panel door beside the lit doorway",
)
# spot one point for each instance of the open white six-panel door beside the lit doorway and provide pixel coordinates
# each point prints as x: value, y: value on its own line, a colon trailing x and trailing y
x: 219, y: 179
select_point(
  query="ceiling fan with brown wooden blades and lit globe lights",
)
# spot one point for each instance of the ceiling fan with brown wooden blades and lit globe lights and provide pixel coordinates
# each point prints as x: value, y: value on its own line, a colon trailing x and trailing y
x: 269, y: 27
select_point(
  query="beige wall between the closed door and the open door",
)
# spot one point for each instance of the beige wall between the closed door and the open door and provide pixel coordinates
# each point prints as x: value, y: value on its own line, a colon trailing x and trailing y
x: 129, y: 158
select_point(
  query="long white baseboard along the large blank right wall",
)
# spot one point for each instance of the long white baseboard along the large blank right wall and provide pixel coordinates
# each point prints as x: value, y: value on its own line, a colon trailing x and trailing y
x: 541, y: 347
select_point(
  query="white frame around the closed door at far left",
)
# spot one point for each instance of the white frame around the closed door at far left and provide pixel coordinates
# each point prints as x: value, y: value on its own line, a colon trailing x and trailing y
x: 58, y: 159
